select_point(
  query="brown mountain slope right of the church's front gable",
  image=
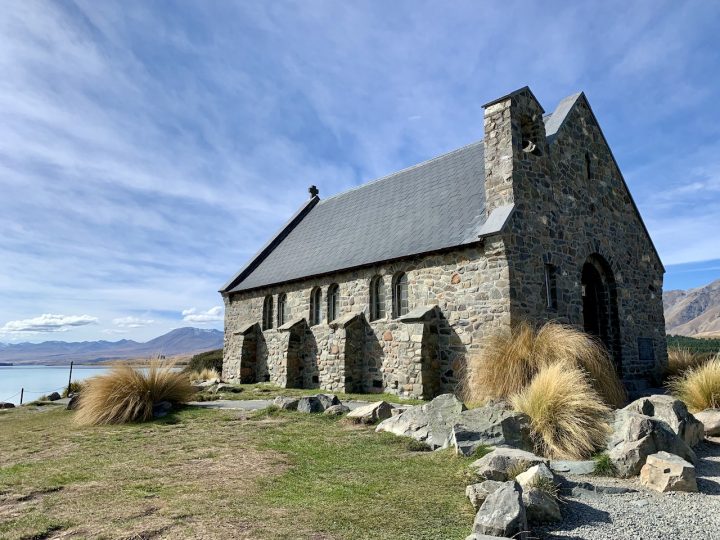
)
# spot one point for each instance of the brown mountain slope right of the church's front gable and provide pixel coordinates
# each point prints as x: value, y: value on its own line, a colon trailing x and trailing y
x: 695, y: 312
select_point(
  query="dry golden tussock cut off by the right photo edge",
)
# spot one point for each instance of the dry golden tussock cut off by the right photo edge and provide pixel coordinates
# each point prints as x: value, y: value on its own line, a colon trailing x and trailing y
x: 699, y: 386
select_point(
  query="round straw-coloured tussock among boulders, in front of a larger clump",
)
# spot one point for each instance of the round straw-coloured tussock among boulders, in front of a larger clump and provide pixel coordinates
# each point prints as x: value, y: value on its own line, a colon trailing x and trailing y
x: 569, y: 419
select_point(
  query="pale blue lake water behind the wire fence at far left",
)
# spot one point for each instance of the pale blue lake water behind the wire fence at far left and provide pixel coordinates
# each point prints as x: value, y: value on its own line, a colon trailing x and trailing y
x: 39, y: 380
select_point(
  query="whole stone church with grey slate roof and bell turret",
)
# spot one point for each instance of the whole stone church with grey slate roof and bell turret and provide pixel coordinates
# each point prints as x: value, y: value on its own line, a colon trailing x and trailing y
x: 393, y: 285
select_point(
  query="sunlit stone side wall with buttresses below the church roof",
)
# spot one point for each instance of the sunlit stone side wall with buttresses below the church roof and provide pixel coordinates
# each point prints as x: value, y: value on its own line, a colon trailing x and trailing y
x: 469, y: 286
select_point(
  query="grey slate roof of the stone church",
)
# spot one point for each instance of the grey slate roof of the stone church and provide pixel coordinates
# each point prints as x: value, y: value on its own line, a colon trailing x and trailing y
x: 434, y: 205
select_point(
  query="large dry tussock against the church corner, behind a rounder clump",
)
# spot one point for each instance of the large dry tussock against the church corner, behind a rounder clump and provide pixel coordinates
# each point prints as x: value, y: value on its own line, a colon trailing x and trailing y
x: 510, y: 360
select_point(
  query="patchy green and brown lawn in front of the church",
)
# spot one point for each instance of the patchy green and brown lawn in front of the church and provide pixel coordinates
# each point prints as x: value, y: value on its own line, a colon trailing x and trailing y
x: 223, y: 474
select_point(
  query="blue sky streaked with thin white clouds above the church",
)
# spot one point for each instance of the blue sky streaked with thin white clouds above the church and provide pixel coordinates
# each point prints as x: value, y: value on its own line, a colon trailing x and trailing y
x: 147, y: 149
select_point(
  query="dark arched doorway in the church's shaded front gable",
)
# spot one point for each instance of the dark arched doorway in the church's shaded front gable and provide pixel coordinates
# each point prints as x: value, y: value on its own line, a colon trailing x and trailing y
x: 600, y: 311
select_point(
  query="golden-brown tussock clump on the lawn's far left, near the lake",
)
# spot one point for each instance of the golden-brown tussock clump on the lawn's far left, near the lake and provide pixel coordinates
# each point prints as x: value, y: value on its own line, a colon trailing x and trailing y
x: 127, y: 395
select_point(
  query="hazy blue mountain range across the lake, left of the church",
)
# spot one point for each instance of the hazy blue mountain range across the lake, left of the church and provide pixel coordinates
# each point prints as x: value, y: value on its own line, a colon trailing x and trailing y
x: 181, y: 341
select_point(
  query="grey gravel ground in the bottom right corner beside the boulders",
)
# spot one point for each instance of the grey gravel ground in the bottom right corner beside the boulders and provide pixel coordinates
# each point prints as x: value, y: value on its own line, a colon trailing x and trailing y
x: 645, y: 515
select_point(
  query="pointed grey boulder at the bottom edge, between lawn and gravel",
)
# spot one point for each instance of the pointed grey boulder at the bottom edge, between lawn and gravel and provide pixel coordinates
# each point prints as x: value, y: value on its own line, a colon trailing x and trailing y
x: 502, y: 513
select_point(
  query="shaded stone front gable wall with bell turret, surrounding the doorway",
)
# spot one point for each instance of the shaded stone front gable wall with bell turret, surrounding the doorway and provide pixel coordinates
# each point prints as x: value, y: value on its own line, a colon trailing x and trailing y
x: 570, y: 204
